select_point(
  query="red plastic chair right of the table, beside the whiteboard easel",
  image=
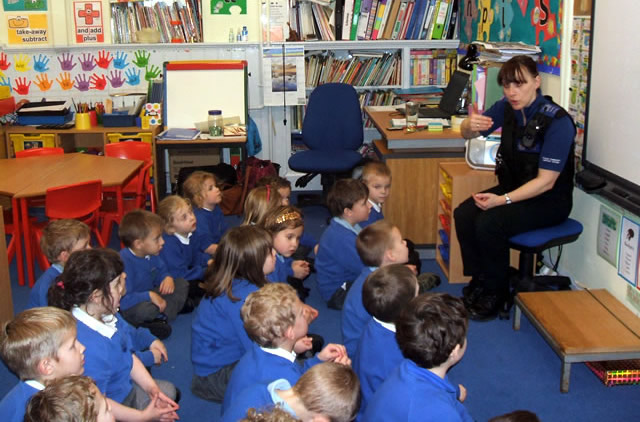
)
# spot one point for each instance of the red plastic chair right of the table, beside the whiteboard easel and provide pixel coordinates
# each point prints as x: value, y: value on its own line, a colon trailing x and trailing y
x: 136, y: 191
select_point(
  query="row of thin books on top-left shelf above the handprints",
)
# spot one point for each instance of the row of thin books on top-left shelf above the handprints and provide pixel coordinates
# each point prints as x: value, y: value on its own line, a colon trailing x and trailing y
x: 176, y: 21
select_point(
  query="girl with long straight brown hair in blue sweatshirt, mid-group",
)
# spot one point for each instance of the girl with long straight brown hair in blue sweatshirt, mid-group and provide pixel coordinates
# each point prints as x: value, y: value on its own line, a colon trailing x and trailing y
x: 218, y: 339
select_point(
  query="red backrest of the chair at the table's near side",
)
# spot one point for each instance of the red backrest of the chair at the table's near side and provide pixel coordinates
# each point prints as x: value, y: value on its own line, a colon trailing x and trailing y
x: 73, y: 201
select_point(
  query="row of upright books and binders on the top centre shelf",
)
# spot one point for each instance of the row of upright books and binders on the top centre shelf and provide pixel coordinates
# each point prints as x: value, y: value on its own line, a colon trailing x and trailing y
x: 328, y: 20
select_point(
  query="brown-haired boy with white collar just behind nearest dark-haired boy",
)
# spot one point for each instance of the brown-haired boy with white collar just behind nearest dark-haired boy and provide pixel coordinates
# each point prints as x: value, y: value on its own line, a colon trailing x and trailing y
x: 385, y: 293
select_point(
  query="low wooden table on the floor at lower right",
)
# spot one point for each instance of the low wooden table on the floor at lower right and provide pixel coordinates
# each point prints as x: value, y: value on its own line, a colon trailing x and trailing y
x: 581, y: 326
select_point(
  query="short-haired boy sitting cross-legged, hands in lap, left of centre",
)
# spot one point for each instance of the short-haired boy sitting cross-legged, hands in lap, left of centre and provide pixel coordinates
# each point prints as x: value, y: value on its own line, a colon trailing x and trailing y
x: 152, y: 294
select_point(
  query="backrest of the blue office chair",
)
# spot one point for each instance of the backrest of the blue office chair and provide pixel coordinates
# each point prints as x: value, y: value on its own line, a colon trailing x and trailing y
x: 333, y: 119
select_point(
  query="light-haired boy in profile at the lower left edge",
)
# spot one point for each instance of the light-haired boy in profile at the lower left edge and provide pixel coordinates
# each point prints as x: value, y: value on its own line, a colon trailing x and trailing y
x: 38, y: 345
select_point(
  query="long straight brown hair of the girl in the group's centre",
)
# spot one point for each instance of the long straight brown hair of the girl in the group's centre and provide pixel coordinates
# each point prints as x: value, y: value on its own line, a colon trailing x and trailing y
x: 241, y: 253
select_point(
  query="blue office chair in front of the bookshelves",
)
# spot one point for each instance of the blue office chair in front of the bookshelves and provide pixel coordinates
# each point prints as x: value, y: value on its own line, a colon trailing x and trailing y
x: 332, y: 130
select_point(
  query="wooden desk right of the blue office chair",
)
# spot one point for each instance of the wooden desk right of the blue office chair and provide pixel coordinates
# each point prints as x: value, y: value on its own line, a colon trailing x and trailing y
x: 414, y: 168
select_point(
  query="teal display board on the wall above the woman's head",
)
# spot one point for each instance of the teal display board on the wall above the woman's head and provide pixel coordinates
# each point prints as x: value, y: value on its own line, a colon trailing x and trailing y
x: 535, y: 22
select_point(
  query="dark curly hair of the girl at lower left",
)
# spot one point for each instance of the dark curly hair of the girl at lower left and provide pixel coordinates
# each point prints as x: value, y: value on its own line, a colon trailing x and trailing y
x: 86, y: 271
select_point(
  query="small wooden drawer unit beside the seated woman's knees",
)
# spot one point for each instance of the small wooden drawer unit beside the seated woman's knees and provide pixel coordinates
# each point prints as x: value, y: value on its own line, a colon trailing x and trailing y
x: 456, y: 182
